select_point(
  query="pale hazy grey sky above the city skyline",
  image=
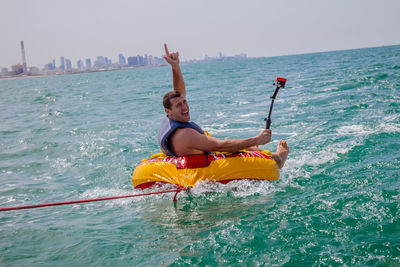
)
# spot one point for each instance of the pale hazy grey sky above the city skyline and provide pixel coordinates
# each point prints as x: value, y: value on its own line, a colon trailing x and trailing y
x: 79, y: 29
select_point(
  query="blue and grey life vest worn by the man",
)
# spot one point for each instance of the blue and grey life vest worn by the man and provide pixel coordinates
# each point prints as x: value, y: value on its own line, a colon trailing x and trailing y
x: 167, y: 128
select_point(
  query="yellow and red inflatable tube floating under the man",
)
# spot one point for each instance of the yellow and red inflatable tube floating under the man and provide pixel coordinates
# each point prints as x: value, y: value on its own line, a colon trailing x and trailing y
x: 188, y: 170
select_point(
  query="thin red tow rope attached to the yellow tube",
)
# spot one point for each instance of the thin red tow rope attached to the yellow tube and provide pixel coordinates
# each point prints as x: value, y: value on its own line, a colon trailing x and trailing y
x: 177, y: 190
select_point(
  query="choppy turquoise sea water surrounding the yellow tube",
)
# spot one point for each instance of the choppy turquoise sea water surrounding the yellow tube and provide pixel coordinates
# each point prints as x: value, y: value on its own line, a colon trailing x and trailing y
x: 80, y: 136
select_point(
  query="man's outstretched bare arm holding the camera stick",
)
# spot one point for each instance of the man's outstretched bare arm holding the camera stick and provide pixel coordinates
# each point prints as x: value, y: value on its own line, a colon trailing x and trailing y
x: 188, y: 141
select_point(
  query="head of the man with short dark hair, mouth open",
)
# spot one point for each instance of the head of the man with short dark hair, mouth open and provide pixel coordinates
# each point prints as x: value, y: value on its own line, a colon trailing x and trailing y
x: 176, y: 106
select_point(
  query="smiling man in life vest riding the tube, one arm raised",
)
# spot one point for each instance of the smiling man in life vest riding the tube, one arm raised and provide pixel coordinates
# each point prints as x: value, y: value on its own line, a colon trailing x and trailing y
x: 178, y: 136
